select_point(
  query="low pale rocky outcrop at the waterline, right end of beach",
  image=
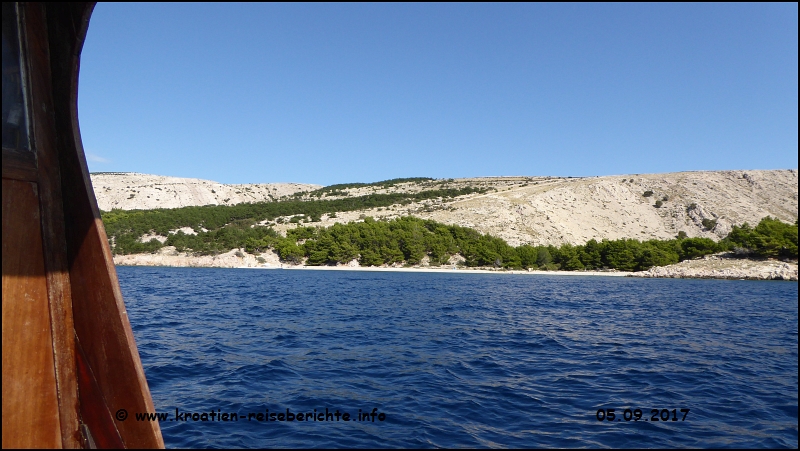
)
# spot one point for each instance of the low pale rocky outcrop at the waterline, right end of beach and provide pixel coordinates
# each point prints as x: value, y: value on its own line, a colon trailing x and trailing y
x: 723, y: 266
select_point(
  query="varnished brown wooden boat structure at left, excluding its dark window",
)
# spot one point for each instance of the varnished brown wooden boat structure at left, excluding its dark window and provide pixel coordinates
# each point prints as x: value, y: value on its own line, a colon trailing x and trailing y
x: 69, y: 356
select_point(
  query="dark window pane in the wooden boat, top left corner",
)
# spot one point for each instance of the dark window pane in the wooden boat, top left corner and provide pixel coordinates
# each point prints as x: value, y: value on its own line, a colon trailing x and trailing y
x: 15, y: 112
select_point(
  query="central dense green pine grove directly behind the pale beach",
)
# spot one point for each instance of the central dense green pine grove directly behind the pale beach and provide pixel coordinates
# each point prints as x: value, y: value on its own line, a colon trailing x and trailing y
x: 408, y: 240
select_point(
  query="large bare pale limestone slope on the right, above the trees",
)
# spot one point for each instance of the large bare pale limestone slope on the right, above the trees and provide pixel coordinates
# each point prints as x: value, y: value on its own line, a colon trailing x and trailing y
x: 575, y: 210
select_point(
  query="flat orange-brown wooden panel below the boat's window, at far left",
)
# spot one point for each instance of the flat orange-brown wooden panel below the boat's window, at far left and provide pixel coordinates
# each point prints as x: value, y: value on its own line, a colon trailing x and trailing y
x: 30, y: 398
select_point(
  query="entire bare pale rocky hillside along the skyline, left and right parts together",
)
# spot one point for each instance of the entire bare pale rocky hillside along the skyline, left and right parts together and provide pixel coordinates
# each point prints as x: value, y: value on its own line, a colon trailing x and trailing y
x: 533, y: 210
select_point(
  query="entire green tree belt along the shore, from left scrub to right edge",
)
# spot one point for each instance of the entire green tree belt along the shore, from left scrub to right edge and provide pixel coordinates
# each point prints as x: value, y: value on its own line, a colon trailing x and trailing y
x: 409, y: 240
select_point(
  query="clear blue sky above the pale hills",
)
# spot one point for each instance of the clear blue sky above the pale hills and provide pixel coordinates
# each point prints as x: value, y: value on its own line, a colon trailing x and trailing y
x: 336, y: 93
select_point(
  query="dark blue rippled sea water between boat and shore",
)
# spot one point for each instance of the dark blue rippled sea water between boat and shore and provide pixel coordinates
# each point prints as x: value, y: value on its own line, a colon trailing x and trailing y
x: 466, y: 360
